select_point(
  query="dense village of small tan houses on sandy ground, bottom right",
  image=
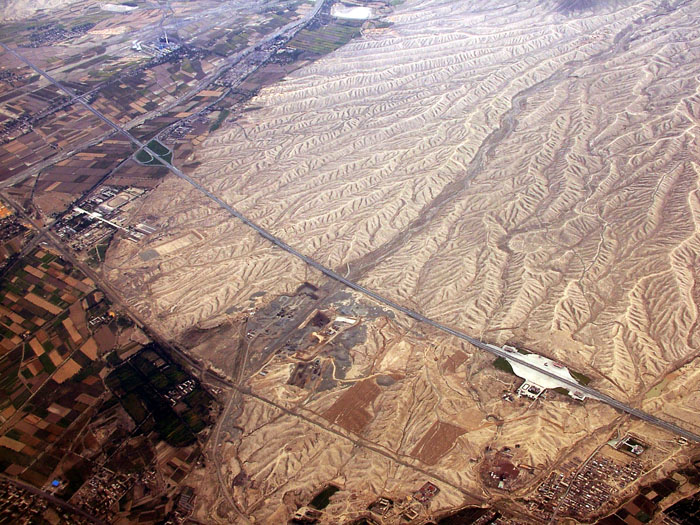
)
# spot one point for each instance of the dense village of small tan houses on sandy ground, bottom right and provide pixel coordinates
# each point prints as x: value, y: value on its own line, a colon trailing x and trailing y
x: 582, y: 492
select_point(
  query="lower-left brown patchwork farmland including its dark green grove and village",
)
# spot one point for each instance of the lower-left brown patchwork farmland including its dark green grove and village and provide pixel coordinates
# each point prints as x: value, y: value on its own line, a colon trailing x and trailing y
x: 84, y: 408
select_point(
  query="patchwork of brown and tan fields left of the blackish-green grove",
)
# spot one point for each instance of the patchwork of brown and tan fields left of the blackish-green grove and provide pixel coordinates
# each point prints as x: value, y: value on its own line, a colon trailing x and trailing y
x: 49, y: 362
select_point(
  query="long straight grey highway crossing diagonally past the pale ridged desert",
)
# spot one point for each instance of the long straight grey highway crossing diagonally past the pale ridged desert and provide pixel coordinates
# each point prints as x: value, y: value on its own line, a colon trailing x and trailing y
x: 494, y: 350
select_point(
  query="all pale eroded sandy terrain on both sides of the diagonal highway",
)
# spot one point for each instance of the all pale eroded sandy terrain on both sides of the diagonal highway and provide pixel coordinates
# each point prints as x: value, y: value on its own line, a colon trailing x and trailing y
x: 528, y: 173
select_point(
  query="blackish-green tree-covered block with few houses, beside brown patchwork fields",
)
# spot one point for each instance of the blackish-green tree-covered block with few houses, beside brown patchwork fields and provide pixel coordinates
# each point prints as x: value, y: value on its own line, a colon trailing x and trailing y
x: 156, y: 394
